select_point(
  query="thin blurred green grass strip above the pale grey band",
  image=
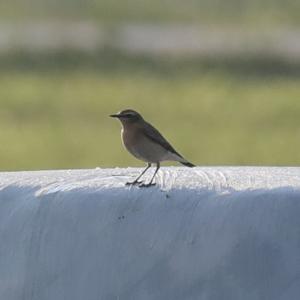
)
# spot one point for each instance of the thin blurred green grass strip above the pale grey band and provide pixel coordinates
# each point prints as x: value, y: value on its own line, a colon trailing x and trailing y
x: 254, y: 12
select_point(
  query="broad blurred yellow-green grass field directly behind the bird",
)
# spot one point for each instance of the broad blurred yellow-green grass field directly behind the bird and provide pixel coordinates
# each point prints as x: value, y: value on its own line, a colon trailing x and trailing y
x: 59, y: 119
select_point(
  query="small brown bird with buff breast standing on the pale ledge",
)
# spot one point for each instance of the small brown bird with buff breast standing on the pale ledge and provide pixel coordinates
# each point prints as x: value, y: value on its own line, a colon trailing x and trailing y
x: 145, y: 142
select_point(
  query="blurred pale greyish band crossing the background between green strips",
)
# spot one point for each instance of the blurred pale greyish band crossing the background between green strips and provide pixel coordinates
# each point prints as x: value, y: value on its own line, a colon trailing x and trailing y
x: 171, y: 40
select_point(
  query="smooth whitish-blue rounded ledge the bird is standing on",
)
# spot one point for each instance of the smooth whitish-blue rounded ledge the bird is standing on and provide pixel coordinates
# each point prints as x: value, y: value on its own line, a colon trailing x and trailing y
x: 202, y: 233
